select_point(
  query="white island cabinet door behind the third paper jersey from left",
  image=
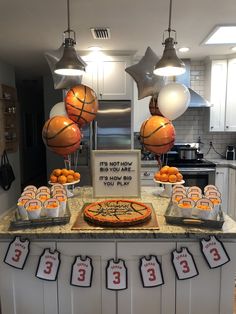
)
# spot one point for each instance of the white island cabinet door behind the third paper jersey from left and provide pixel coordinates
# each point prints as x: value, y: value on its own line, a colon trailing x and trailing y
x: 95, y: 299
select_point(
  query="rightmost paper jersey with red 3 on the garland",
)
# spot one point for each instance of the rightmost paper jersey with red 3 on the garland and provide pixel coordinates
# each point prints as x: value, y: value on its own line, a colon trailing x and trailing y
x: 214, y: 252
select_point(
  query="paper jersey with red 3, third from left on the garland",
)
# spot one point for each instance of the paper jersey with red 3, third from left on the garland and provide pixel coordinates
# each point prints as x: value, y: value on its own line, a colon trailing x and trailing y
x: 82, y: 272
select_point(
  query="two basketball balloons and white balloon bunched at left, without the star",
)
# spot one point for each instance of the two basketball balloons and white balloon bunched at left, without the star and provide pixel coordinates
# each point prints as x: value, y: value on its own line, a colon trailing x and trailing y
x: 61, y: 133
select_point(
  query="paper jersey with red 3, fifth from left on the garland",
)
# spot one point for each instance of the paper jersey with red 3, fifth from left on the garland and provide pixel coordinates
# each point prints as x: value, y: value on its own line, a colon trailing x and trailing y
x: 151, y: 272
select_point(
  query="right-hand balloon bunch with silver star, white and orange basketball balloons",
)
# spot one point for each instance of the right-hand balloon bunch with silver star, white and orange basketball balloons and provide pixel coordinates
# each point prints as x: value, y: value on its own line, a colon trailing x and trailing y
x: 167, y: 103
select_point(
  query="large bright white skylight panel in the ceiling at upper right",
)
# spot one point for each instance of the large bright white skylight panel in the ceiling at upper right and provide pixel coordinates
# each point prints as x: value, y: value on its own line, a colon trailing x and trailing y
x: 222, y: 34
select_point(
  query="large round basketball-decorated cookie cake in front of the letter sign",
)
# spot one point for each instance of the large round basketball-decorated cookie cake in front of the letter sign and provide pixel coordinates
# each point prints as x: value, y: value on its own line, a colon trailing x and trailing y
x: 117, y: 213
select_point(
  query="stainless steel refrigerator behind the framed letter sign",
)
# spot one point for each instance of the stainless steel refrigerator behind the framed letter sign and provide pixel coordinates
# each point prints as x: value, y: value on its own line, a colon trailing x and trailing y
x: 110, y: 130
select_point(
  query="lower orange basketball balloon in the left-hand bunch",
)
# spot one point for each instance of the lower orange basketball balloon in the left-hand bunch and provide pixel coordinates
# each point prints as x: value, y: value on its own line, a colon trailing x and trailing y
x: 61, y: 135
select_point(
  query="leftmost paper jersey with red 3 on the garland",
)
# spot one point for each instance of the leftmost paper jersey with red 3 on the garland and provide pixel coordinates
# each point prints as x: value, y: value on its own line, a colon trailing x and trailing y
x: 17, y: 253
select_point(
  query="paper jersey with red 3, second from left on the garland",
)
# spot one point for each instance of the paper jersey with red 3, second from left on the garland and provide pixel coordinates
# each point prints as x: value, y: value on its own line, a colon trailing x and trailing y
x: 48, y: 267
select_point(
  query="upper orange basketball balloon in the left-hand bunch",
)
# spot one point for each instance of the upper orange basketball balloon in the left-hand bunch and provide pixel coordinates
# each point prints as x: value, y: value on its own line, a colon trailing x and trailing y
x: 81, y: 104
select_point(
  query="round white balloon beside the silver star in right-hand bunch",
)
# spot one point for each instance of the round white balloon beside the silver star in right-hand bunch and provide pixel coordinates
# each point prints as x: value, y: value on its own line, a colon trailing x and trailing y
x: 173, y: 100
